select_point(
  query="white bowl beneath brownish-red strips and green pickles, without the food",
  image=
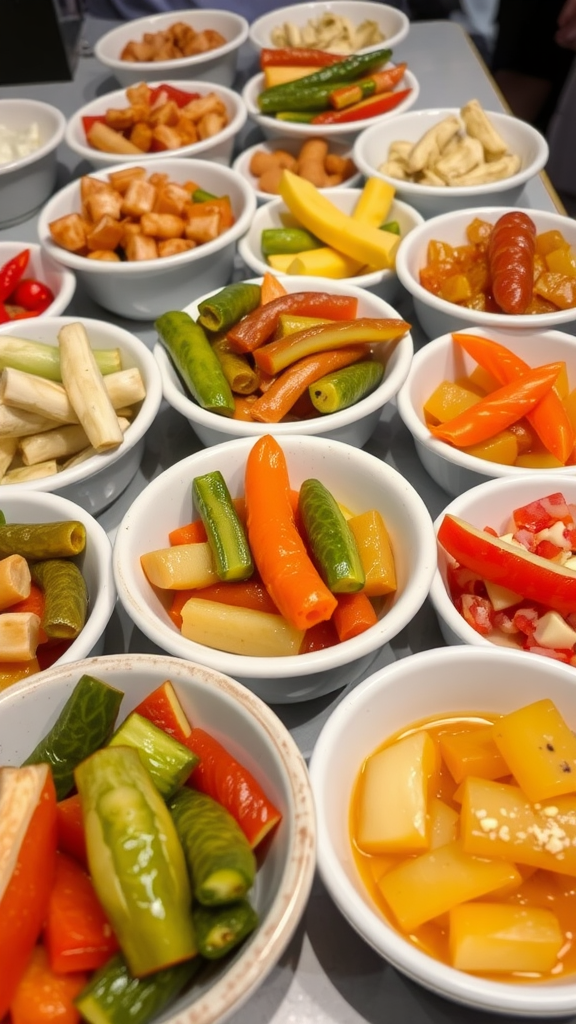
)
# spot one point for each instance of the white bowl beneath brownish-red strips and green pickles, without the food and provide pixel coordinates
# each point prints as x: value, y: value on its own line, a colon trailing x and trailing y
x: 354, y: 425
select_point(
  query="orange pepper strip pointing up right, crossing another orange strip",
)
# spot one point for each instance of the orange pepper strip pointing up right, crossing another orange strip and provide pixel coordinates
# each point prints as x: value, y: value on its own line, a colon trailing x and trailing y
x: 500, y: 409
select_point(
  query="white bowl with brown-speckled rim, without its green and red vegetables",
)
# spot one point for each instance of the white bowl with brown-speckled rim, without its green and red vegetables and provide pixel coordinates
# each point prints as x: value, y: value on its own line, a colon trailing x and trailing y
x: 255, y: 736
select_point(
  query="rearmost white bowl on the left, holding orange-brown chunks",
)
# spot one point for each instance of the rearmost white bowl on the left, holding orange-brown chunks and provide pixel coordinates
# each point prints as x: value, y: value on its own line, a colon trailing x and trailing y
x: 217, y: 66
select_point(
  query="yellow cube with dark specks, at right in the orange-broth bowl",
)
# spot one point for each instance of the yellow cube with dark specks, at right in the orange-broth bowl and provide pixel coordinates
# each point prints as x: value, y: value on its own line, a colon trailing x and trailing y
x: 541, y: 750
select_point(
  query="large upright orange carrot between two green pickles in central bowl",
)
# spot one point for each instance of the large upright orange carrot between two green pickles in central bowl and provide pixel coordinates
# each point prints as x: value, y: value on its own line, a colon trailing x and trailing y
x: 278, y: 549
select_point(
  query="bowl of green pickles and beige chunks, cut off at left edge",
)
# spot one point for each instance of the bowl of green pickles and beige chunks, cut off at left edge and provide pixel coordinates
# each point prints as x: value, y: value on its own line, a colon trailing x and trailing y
x: 57, y: 585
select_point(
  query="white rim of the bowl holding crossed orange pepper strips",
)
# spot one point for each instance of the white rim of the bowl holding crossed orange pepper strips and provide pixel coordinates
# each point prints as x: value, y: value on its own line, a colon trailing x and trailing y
x: 441, y: 449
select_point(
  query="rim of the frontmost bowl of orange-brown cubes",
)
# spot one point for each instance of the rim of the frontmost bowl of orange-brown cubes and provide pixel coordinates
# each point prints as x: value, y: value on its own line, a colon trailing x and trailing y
x: 152, y: 267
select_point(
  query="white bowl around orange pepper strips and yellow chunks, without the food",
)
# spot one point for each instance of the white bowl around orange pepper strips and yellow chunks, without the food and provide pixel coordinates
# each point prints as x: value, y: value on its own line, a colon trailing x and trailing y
x: 441, y: 360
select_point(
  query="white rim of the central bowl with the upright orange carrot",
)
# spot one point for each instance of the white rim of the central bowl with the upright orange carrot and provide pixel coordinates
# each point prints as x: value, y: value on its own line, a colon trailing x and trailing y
x: 264, y: 668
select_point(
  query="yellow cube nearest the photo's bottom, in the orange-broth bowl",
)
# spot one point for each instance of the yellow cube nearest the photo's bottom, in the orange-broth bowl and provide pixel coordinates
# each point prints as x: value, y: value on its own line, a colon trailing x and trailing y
x: 504, y: 938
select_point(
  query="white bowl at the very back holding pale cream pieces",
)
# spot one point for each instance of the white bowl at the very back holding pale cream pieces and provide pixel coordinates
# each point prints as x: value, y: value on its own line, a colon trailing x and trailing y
x: 393, y: 23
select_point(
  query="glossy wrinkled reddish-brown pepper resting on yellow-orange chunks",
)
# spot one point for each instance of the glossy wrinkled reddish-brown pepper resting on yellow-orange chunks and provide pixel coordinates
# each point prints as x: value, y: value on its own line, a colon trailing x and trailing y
x: 511, y: 261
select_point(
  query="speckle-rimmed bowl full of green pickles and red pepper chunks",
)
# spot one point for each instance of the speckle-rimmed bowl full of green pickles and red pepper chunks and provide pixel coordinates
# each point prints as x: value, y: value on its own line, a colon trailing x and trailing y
x: 256, y: 880
